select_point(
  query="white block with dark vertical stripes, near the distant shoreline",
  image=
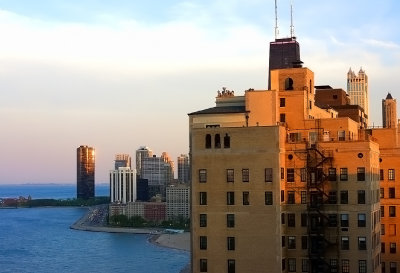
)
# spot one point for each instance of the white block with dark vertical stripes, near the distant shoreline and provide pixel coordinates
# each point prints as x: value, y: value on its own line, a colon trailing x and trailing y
x: 123, y: 185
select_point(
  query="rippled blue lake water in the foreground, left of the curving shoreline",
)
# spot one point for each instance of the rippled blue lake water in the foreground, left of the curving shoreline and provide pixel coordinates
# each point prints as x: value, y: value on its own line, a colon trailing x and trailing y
x: 39, y: 240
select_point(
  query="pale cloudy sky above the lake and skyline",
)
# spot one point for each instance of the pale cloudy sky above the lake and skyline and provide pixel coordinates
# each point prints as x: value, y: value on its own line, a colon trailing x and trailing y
x: 121, y: 74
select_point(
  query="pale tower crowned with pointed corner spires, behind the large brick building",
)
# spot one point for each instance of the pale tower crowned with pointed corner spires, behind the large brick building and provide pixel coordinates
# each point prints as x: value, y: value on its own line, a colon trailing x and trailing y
x: 357, y: 88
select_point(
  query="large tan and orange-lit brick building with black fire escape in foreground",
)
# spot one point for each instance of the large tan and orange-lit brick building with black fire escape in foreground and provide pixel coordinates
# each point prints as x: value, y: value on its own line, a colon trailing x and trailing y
x: 282, y: 185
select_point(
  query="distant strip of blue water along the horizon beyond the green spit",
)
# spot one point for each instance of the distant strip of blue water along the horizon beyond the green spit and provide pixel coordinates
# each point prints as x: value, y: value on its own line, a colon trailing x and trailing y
x: 54, y: 191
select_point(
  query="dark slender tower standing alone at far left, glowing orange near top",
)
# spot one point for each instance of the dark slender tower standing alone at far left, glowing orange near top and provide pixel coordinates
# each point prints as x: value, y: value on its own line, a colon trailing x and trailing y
x: 85, y: 172
